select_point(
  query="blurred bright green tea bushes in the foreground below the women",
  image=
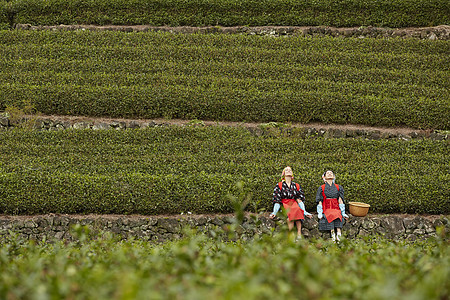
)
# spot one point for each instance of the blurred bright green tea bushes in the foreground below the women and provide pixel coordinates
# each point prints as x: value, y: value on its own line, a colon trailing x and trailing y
x: 199, y: 267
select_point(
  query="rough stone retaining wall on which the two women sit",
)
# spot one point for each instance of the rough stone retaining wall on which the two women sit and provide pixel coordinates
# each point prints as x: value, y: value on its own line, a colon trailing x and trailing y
x: 48, y: 227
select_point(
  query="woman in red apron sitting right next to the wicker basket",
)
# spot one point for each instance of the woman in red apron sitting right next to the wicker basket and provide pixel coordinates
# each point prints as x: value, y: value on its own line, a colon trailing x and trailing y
x: 330, y: 206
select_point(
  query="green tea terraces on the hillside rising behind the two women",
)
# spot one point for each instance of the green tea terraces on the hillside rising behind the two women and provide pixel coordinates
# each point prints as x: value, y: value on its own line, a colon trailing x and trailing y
x: 274, y: 80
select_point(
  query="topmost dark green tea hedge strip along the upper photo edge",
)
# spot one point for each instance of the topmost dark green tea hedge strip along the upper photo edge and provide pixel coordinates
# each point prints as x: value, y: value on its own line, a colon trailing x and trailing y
x: 344, y: 13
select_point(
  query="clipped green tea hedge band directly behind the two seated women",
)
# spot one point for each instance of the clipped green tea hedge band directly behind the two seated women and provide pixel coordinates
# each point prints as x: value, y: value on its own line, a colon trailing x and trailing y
x: 179, y: 169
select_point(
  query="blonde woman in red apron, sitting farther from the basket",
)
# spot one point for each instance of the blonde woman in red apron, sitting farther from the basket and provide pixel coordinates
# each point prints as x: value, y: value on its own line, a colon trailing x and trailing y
x: 291, y: 196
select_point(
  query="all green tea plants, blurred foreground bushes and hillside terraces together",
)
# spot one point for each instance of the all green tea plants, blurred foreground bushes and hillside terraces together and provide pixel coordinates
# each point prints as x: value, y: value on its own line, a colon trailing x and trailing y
x: 168, y: 170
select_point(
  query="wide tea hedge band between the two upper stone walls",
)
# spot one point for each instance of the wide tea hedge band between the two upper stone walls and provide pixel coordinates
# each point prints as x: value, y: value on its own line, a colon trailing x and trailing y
x: 221, y: 77
